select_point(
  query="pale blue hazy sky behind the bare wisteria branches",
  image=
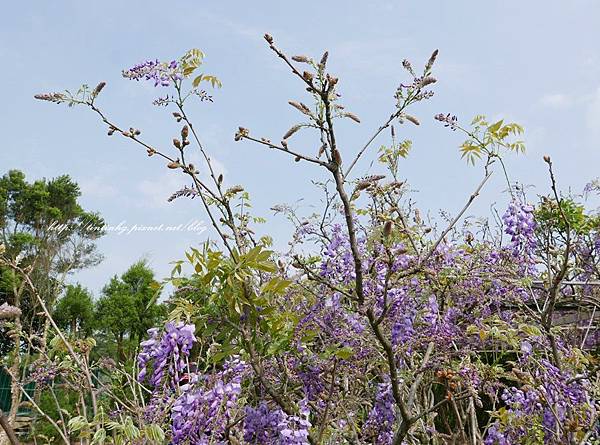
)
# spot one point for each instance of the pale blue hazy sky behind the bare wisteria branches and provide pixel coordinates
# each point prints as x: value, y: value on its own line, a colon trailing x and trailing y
x: 533, y: 62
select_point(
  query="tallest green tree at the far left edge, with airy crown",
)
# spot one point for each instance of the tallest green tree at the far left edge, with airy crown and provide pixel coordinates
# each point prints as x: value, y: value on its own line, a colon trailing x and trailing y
x: 45, y: 235
